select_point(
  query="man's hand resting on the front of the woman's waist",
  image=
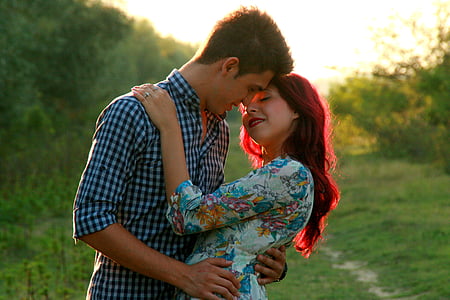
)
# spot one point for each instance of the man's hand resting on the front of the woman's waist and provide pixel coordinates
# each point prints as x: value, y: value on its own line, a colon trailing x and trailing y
x: 208, y: 278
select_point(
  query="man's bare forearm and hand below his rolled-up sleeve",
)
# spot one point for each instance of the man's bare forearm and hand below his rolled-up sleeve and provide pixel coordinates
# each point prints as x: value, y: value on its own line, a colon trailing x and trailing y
x: 201, y: 280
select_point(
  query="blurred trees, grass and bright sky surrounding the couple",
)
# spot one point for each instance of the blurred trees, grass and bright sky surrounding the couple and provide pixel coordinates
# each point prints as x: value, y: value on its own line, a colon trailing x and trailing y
x: 382, y: 65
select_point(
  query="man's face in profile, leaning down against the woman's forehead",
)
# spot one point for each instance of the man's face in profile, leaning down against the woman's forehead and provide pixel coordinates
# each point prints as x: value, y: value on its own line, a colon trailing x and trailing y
x: 231, y: 90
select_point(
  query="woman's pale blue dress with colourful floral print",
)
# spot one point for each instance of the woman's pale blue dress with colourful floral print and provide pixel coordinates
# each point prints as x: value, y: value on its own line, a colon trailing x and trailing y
x: 241, y: 219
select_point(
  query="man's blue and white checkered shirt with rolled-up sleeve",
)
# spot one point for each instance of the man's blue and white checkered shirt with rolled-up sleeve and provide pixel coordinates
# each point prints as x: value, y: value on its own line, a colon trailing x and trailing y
x: 123, y: 183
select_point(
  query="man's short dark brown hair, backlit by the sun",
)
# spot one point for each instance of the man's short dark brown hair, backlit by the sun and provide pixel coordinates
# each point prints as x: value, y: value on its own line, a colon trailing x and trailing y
x: 252, y: 36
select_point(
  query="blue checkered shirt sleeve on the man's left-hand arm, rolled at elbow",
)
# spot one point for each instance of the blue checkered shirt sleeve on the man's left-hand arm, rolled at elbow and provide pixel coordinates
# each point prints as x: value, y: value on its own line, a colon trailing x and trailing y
x: 121, y: 133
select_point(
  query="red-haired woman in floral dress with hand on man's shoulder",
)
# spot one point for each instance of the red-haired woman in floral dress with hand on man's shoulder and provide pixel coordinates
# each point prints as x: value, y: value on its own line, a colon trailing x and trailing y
x: 286, y: 133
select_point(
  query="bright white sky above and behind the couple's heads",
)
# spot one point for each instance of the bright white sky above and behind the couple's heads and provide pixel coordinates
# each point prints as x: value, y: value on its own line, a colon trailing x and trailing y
x: 321, y: 33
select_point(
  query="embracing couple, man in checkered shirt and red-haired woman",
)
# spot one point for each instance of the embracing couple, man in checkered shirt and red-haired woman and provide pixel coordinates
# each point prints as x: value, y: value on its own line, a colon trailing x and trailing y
x: 152, y: 199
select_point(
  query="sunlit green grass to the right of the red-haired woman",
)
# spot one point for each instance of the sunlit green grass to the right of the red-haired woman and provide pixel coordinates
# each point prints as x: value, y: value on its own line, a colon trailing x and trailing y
x: 392, y: 220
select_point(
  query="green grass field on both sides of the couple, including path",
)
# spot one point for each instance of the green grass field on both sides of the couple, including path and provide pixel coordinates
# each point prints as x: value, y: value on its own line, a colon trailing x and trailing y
x: 388, y: 238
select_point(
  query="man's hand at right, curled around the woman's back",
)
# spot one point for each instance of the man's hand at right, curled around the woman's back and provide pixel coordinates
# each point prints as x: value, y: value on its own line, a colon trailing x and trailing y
x: 274, y: 262
